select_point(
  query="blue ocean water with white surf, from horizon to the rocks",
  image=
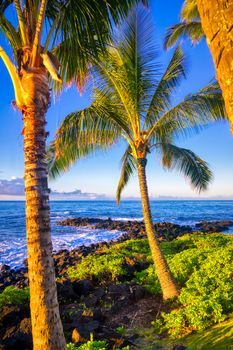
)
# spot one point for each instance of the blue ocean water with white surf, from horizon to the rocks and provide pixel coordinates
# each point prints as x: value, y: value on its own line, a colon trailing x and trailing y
x: 12, y: 221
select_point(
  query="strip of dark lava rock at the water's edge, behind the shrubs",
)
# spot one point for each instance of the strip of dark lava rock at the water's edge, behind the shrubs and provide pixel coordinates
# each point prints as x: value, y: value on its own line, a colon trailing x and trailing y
x: 165, y: 231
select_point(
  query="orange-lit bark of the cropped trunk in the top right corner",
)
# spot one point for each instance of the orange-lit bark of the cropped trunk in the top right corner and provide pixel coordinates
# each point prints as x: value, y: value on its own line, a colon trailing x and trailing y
x: 217, y: 23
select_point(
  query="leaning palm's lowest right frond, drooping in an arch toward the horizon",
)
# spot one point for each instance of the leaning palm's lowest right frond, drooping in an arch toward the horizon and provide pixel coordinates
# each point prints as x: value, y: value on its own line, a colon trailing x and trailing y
x: 188, y: 163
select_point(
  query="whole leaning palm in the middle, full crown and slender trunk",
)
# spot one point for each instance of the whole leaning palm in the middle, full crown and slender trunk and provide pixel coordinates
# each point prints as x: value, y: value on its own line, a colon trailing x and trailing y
x: 132, y: 101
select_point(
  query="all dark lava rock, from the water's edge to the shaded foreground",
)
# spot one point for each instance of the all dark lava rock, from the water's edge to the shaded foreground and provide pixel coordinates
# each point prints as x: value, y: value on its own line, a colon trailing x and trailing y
x: 88, y: 307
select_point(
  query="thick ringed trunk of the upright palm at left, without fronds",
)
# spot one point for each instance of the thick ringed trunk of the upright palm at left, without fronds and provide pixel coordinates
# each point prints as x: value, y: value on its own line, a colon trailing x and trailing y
x: 46, y: 324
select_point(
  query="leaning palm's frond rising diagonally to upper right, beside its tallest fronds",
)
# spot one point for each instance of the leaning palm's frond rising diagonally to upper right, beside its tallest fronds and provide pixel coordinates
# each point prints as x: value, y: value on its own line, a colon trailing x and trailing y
x: 167, y: 85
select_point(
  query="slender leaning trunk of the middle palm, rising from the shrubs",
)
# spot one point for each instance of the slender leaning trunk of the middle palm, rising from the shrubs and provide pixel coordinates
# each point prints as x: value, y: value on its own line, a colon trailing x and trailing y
x: 167, y: 283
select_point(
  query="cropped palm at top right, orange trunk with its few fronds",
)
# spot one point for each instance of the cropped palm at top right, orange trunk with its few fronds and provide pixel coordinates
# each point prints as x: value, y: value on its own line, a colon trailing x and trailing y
x: 214, y: 20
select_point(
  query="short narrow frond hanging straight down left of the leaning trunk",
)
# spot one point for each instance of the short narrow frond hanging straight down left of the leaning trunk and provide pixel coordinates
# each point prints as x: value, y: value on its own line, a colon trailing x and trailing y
x: 128, y: 167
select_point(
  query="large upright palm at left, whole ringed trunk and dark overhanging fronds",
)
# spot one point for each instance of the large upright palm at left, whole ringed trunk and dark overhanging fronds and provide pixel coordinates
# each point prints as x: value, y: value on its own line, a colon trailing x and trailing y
x: 52, y: 40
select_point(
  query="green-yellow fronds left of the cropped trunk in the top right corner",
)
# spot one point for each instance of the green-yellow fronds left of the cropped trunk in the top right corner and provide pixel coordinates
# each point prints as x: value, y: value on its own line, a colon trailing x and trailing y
x: 189, y: 26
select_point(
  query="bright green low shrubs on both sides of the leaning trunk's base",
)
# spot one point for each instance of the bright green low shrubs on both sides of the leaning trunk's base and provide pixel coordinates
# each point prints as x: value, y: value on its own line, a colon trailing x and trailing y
x: 201, y: 263
